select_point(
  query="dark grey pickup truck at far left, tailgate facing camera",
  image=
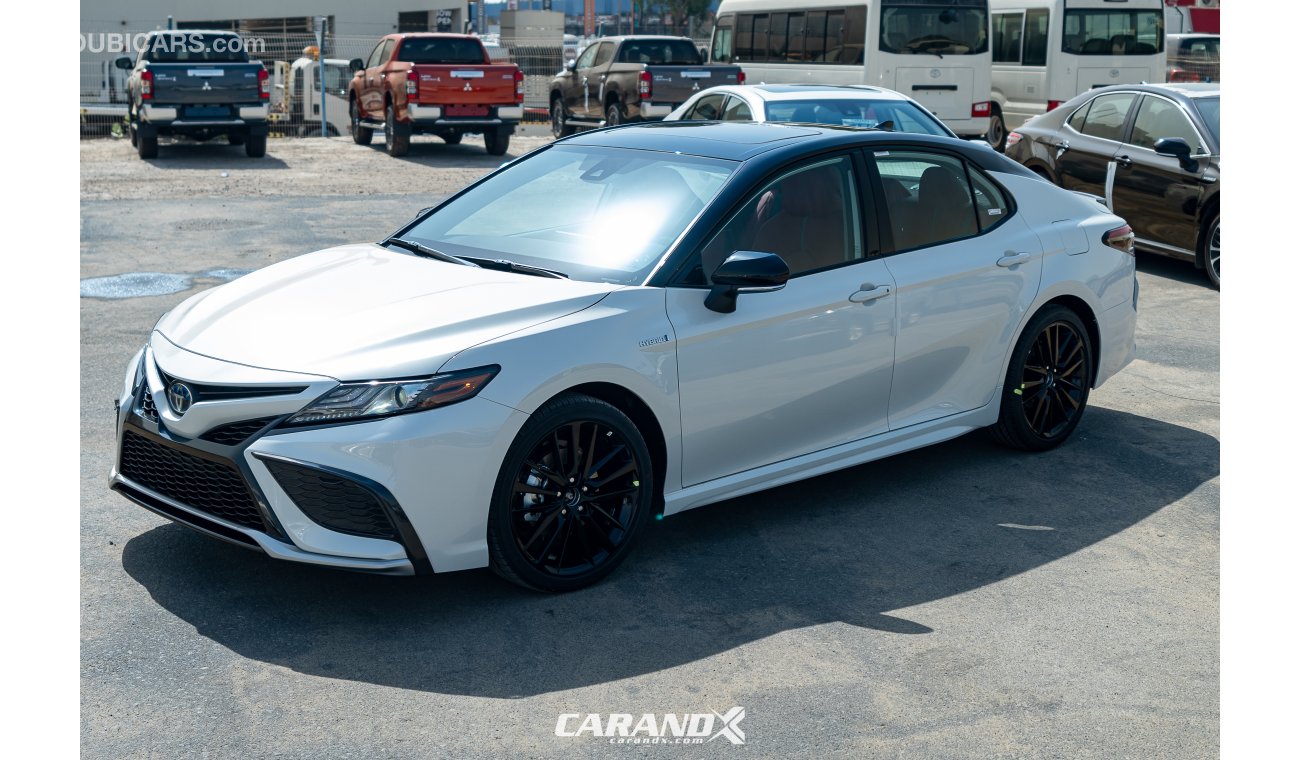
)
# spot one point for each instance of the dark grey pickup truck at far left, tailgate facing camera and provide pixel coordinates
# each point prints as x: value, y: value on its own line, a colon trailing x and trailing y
x: 201, y: 85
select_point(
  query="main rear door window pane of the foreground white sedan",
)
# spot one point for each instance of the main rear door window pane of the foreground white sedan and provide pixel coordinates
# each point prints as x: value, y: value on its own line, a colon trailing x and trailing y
x: 929, y: 198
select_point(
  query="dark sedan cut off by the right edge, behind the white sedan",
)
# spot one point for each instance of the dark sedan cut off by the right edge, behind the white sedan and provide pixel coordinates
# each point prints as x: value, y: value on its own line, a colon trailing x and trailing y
x: 1152, y: 151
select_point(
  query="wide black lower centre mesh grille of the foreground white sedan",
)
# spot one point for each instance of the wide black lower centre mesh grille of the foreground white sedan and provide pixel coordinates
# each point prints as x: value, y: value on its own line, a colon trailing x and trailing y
x: 196, y: 483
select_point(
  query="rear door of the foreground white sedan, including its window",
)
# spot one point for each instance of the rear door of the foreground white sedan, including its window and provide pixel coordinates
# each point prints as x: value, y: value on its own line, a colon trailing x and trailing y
x: 968, y: 270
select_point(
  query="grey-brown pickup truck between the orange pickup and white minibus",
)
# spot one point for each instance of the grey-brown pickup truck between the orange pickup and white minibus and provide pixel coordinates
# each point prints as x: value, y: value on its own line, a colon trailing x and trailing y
x: 631, y: 79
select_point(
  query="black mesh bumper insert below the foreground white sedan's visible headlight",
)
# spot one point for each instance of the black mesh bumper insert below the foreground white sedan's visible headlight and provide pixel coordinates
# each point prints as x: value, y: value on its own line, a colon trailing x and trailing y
x: 335, y: 502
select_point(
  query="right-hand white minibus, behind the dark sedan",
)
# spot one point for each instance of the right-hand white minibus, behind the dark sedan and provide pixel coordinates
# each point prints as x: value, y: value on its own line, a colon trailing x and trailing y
x: 1048, y: 51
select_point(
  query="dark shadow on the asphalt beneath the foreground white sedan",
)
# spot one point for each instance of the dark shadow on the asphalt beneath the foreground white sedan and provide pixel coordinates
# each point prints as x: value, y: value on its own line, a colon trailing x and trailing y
x: 853, y: 548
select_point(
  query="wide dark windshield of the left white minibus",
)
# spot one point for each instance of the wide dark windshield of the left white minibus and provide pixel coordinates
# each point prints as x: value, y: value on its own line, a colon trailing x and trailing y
x: 912, y: 28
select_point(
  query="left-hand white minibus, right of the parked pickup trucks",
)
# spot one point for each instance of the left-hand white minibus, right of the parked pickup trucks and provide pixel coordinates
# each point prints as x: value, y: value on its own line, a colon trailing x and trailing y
x: 933, y: 51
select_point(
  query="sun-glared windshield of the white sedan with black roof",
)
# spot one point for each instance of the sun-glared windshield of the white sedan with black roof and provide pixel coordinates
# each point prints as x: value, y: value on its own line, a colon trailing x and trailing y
x: 601, y: 215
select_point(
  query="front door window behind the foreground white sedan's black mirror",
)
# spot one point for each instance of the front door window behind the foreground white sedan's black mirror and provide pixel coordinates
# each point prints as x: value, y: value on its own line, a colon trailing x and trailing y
x: 808, y: 216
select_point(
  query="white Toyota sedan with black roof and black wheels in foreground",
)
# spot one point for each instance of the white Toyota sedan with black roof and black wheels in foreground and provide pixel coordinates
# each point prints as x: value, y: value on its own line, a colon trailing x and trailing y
x: 621, y: 327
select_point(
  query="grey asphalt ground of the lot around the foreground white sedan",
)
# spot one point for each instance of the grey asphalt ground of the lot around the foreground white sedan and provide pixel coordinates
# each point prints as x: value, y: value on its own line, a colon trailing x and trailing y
x: 961, y: 601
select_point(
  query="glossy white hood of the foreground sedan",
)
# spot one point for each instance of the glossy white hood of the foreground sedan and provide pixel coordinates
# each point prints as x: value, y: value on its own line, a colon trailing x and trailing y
x: 366, y: 312
